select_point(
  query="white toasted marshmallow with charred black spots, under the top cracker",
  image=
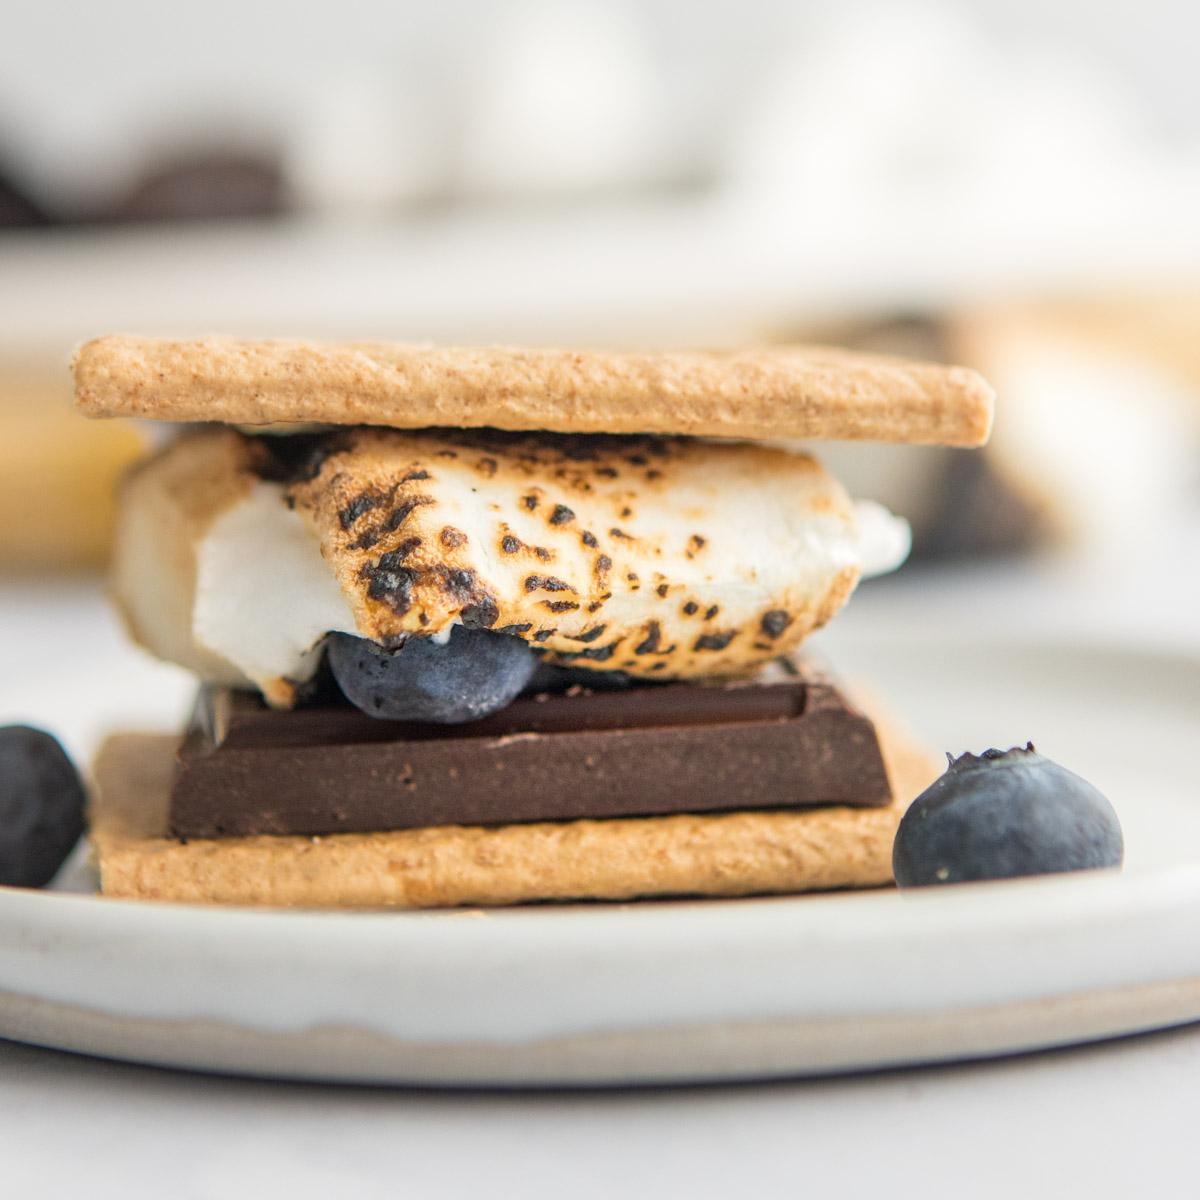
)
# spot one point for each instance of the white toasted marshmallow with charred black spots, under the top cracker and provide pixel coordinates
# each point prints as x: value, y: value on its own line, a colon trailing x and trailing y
x: 668, y: 559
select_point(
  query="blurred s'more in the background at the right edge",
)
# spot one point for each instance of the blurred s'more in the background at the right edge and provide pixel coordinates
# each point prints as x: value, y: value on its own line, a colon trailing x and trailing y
x: 1097, y: 425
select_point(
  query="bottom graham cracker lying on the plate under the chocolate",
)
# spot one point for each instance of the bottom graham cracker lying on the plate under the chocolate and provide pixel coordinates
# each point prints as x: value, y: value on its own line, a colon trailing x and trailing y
x: 729, y: 855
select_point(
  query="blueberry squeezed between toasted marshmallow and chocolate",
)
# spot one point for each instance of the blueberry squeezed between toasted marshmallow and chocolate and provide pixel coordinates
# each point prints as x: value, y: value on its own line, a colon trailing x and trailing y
x: 475, y: 674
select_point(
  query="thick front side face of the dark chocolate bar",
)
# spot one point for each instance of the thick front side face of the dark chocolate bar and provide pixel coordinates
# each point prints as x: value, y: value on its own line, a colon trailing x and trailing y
x: 827, y: 754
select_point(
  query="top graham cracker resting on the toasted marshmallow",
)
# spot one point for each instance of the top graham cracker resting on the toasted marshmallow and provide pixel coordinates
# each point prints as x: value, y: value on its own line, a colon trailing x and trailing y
x: 773, y: 393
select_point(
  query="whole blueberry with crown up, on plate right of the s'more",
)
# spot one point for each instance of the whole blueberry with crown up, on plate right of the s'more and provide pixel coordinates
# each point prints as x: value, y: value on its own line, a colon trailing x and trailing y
x: 1005, y: 814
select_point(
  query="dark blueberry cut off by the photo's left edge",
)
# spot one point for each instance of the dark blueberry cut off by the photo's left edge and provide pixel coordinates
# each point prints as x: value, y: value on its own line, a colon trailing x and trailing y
x: 41, y: 807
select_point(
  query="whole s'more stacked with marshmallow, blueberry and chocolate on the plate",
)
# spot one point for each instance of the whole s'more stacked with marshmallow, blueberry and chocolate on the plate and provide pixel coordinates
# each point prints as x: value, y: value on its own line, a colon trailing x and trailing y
x: 497, y: 626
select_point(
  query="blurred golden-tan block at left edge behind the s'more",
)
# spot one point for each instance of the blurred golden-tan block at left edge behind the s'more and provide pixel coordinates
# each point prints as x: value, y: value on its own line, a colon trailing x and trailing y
x: 58, y: 471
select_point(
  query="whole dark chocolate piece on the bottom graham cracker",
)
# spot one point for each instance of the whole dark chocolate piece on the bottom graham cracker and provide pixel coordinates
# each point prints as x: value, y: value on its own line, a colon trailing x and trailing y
x: 647, y: 751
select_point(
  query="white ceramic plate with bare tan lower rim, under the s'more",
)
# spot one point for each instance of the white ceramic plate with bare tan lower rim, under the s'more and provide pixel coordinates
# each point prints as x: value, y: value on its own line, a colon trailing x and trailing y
x: 599, y: 994
